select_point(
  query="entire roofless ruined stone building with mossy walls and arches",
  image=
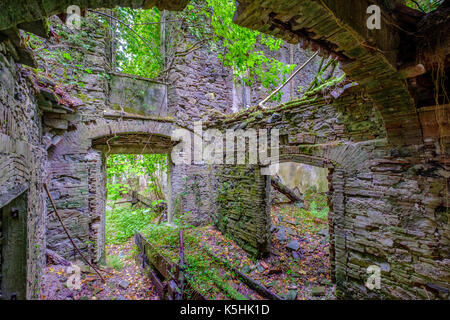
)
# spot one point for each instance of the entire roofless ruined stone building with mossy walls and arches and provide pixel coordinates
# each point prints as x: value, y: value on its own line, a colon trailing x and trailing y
x: 385, y: 140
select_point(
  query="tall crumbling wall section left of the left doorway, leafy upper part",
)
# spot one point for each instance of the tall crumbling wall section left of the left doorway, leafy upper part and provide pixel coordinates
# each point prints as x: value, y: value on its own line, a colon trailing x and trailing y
x: 75, y: 173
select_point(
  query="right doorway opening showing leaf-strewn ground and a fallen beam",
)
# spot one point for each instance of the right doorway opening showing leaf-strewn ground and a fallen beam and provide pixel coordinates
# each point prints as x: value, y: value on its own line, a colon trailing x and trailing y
x: 300, y: 229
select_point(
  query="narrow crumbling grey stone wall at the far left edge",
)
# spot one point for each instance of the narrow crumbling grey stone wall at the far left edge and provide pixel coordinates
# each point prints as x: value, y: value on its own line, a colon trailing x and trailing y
x: 22, y: 158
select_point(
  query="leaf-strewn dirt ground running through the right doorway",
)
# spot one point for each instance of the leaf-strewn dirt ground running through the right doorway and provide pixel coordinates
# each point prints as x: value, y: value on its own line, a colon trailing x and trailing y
x: 301, y: 273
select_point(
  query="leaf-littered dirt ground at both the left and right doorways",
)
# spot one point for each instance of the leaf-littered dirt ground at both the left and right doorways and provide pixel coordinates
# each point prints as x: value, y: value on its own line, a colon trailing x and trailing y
x: 297, y: 269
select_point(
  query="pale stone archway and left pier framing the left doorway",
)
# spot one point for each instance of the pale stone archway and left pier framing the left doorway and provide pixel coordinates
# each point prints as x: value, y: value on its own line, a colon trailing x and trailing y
x: 77, y: 173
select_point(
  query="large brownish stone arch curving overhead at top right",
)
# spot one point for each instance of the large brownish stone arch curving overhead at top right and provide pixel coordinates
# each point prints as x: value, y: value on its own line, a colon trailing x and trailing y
x: 346, y: 36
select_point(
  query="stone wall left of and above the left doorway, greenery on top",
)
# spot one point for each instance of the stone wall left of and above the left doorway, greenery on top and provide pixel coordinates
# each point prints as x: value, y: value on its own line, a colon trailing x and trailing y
x: 110, y: 116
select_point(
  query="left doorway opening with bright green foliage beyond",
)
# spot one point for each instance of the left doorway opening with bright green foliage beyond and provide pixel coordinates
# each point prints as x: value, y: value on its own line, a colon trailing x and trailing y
x: 136, y: 198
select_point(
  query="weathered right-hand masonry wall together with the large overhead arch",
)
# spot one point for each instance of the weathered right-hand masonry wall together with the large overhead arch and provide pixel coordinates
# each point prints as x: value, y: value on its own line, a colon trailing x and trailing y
x: 386, y: 144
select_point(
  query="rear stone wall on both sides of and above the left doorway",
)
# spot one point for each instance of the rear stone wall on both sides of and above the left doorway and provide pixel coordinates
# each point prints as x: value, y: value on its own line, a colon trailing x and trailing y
x: 120, y: 113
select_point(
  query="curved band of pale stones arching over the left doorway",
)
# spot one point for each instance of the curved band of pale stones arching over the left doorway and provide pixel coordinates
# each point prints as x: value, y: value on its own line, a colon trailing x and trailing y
x: 80, y: 140
